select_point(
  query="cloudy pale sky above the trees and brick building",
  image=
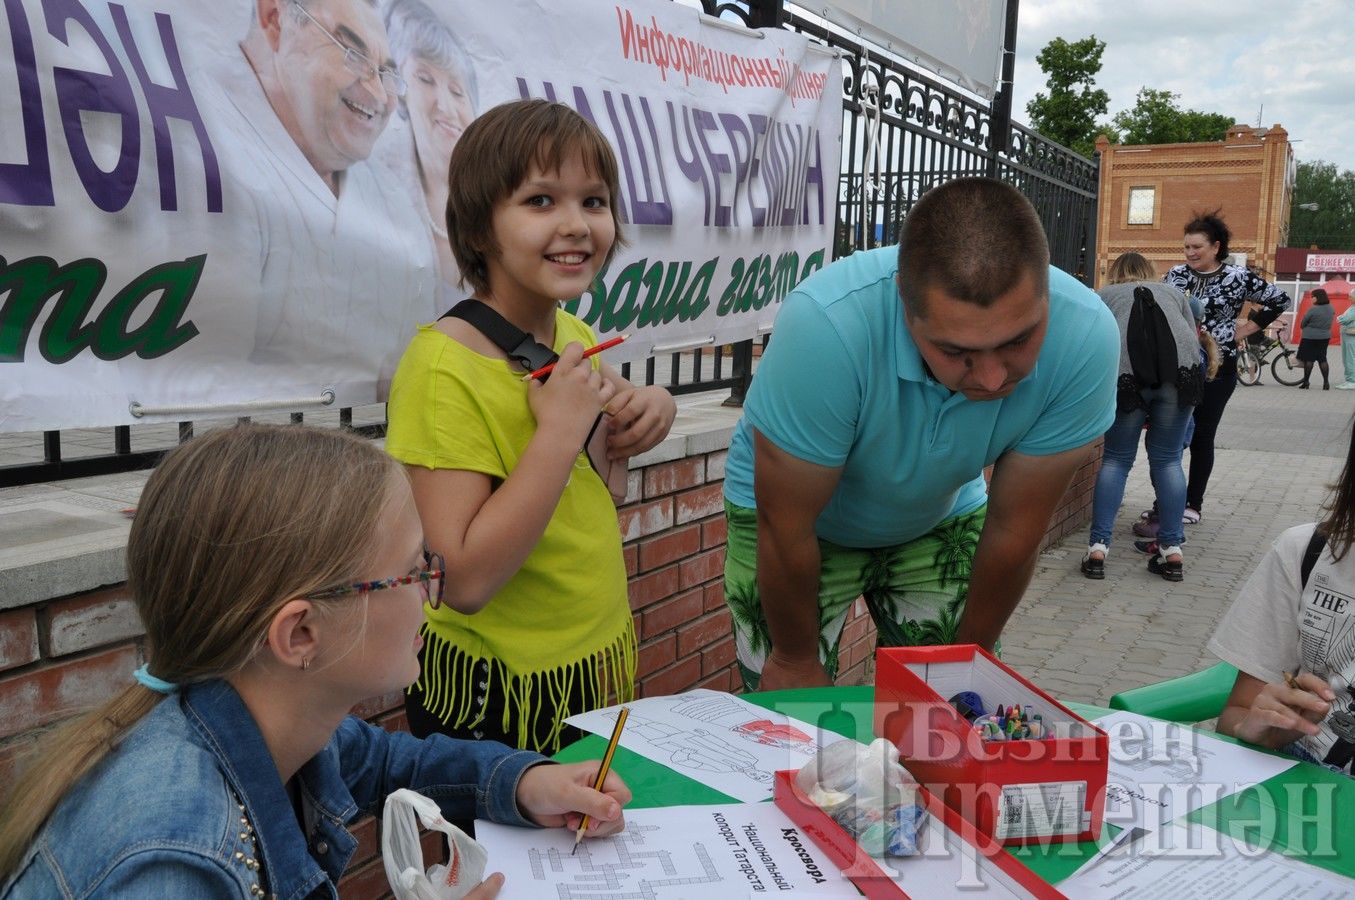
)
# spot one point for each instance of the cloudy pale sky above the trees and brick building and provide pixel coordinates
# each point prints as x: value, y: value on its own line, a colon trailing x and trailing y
x: 1222, y: 58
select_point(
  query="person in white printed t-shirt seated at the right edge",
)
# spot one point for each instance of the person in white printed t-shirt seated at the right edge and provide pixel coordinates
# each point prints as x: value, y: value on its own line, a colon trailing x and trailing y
x: 1293, y: 640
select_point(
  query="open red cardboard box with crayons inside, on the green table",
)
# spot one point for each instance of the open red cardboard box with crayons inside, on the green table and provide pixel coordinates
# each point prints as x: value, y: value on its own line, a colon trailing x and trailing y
x: 1018, y: 791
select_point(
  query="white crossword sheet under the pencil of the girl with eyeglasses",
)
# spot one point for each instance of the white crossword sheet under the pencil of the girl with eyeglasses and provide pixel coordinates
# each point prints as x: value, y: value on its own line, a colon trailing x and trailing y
x: 665, y: 855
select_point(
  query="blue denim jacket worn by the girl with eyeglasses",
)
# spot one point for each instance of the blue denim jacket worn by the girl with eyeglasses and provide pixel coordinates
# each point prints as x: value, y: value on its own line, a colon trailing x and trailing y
x: 190, y: 806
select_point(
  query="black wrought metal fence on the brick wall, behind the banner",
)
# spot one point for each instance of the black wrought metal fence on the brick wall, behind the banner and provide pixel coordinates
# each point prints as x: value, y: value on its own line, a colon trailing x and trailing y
x: 903, y: 134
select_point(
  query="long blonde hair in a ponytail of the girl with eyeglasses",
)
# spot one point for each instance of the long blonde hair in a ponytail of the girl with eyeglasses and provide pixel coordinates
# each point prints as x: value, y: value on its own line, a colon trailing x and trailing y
x: 230, y: 528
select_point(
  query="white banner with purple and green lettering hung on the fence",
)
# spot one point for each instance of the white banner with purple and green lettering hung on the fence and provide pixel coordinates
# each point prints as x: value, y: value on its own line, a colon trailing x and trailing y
x: 205, y: 207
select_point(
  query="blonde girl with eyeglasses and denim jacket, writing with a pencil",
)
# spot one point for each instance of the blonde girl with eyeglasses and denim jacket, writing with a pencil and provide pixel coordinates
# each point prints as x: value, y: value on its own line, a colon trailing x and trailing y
x: 281, y: 577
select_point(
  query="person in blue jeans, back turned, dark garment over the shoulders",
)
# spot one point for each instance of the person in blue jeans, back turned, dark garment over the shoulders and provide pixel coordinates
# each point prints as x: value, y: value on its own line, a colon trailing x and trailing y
x: 1161, y: 382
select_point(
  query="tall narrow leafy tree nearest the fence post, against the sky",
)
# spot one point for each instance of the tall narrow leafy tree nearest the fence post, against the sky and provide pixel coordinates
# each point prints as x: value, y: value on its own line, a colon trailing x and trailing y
x: 1068, y: 112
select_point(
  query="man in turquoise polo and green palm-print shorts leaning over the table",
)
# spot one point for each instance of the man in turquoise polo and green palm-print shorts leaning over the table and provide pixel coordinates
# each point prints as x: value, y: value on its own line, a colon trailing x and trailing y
x: 892, y: 379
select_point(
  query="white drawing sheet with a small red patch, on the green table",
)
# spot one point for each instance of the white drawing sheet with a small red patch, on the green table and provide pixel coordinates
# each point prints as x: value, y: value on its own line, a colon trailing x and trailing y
x: 713, y: 738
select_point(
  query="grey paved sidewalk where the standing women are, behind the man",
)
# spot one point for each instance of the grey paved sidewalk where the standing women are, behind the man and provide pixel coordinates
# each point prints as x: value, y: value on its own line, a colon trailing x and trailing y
x: 1278, y: 449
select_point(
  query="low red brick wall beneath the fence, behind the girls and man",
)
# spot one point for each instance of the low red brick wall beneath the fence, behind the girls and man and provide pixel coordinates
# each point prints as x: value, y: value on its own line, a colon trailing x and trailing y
x: 64, y: 655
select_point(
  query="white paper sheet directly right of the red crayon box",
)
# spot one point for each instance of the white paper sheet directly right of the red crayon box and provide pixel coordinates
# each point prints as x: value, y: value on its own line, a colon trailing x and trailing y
x: 1161, y: 771
